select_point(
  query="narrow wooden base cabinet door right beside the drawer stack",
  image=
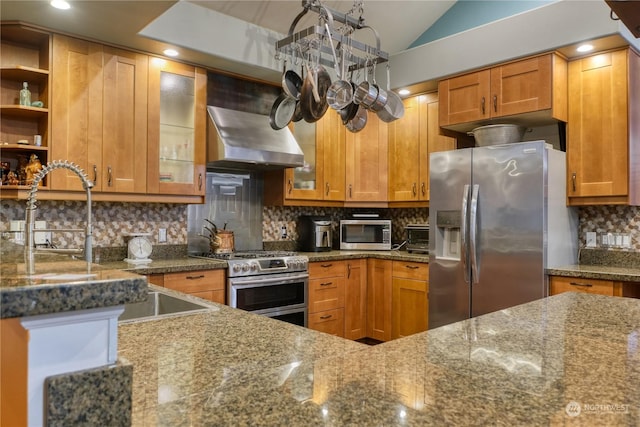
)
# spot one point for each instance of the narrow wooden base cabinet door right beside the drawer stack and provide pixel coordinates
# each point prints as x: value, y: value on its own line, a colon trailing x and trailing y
x: 355, y: 310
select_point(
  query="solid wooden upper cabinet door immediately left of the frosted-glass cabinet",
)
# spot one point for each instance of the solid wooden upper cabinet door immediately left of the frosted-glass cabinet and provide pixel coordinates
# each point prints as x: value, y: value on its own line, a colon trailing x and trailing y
x: 124, y: 136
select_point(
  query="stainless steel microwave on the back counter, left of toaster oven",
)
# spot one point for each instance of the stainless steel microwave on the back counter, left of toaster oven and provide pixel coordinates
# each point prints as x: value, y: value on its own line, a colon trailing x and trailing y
x: 365, y: 234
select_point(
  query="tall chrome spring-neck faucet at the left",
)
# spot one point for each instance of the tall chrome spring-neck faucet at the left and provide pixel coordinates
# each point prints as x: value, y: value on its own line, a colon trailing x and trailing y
x: 31, y: 212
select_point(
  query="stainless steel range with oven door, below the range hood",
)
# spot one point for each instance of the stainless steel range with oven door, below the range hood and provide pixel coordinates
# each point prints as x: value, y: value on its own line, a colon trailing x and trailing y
x: 273, y: 284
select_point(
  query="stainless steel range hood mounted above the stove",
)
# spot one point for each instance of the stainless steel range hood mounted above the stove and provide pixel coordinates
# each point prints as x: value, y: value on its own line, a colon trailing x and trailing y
x: 246, y: 141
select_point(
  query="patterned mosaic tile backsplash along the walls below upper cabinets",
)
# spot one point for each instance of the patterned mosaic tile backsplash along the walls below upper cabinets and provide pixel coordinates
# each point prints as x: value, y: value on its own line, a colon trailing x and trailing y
x: 111, y: 220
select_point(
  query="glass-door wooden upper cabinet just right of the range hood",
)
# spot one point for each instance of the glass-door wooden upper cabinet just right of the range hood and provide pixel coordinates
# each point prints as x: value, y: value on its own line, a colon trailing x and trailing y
x: 321, y: 180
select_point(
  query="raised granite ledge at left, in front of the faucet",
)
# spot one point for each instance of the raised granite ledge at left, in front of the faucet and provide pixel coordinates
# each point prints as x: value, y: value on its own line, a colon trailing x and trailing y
x: 62, y: 284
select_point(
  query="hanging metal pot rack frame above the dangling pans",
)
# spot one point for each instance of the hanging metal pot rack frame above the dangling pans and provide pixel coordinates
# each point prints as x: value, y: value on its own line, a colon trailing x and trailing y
x: 302, y: 43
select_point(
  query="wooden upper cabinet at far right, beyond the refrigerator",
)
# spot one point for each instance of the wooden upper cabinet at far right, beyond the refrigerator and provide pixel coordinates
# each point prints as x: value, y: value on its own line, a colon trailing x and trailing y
x: 603, y: 132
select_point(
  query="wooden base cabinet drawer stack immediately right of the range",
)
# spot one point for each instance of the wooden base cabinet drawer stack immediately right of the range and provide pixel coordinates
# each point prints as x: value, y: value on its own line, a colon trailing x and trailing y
x: 327, y: 297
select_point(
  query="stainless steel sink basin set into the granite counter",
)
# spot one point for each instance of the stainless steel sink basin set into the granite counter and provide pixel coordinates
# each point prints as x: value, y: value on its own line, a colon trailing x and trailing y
x: 159, y: 305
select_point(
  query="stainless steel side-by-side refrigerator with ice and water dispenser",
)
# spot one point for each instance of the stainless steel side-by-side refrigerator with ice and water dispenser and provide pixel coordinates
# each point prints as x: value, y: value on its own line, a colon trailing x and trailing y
x: 498, y: 218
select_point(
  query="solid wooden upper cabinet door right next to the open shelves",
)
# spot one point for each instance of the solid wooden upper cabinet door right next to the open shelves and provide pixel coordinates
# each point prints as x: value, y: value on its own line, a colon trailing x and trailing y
x: 76, y: 110
